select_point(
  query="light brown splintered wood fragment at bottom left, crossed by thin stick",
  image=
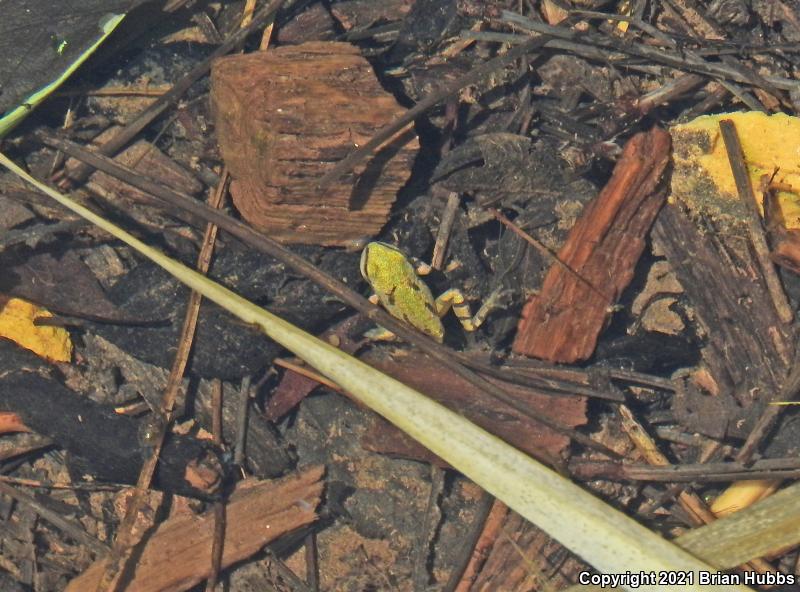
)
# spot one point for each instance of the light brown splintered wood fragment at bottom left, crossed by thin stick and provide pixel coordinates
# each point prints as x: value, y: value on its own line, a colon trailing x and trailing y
x: 178, y: 554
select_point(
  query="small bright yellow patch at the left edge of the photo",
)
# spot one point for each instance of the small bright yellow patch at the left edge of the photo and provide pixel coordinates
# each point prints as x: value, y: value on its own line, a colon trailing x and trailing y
x: 17, y: 324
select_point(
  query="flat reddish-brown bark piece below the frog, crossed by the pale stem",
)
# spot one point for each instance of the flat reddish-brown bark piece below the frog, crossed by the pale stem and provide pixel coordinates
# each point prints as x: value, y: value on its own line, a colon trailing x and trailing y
x: 442, y: 385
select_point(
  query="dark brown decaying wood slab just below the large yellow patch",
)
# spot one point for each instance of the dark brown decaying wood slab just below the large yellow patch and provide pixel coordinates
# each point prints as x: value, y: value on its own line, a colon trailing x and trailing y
x: 747, y: 349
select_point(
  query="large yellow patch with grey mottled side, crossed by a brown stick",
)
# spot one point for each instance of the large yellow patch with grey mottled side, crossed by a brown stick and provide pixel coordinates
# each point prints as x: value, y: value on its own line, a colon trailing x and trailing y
x: 702, y: 175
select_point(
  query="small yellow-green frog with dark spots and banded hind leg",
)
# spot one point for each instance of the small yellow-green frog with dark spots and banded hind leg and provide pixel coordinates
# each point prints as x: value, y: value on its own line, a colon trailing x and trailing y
x: 400, y: 289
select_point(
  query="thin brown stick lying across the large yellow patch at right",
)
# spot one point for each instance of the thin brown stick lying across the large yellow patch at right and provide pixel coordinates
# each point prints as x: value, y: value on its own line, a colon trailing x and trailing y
x: 759, y: 241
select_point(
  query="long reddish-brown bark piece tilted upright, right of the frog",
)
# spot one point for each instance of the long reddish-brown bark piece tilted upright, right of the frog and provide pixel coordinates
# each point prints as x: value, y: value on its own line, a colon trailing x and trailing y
x: 562, y: 322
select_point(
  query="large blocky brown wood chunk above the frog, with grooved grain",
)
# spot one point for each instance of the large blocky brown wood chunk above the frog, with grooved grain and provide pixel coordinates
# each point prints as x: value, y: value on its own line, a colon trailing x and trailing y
x: 288, y: 115
